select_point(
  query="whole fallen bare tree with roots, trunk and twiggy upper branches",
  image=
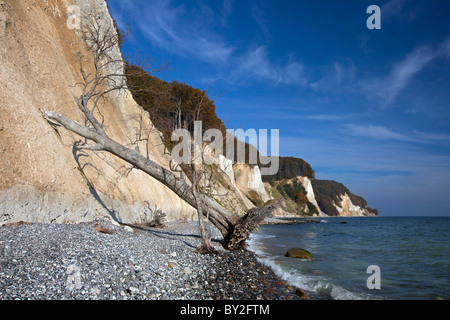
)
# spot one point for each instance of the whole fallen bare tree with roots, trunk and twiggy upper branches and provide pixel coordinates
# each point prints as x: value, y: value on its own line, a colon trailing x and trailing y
x: 109, y: 76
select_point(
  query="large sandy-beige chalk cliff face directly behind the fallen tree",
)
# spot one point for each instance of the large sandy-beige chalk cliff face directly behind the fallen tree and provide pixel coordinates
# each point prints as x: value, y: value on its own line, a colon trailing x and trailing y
x: 43, y: 178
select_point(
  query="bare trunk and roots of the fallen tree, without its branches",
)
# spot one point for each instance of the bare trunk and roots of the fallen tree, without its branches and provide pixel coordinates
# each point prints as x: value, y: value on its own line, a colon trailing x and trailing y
x: 233, y: 232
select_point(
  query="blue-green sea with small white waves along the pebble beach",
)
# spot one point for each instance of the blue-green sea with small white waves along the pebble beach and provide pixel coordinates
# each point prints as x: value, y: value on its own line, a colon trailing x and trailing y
x: 411, y: 254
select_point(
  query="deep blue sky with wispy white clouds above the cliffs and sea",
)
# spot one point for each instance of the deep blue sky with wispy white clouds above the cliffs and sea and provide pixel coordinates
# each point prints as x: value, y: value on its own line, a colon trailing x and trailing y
x: 368, y: 108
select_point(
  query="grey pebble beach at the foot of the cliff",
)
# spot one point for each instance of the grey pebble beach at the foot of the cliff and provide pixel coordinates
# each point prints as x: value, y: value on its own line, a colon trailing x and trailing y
x: 76, y: 262
